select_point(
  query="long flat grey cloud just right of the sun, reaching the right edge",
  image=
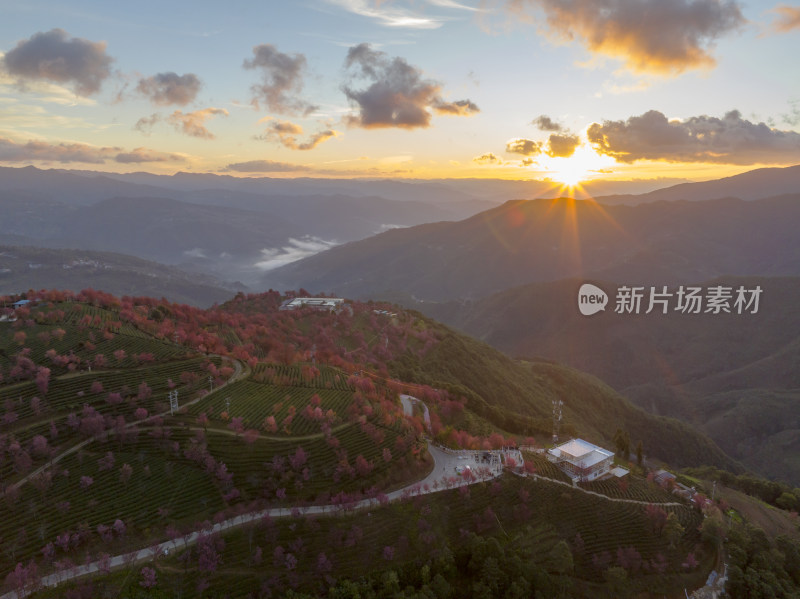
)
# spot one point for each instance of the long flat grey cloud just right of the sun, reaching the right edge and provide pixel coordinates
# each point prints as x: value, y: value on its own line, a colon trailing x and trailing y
x: 729, y: 140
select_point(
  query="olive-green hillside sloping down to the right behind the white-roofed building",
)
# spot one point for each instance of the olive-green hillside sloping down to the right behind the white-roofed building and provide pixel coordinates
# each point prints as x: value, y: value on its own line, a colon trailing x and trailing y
x: 518, y: 398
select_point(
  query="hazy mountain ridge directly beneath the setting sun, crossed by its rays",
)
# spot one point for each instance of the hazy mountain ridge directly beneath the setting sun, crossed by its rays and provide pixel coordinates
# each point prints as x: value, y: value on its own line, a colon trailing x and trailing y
x: 522, y: 242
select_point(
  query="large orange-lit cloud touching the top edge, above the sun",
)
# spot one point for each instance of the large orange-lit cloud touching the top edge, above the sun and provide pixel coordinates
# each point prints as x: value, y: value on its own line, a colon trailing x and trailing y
x: 650, y: 36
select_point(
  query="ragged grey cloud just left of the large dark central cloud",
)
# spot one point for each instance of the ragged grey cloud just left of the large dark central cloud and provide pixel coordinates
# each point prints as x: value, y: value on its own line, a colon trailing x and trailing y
x: 281, y: 80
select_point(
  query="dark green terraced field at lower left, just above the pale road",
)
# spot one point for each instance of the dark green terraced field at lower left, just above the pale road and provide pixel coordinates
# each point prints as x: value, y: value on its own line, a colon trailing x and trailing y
x: 70, y: 504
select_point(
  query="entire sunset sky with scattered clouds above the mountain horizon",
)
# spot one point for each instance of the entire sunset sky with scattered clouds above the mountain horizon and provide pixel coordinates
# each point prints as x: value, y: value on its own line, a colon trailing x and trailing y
x: 566, y: 90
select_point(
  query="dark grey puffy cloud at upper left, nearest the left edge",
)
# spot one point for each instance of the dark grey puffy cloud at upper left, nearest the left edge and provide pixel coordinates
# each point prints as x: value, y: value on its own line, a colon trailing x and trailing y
x: 53, y: 56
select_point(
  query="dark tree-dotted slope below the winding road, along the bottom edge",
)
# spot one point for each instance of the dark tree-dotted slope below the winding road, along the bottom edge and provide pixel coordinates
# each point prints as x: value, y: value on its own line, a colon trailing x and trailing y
x: 512, y: 537
